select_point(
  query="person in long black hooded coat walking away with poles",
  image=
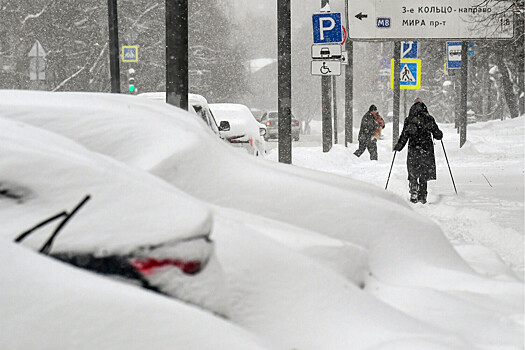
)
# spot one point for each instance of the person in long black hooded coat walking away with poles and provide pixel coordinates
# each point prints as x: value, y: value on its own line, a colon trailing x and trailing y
x: 418, y: 129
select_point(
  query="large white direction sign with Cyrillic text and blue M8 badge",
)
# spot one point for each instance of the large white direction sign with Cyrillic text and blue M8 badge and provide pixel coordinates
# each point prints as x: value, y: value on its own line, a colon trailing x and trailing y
x: 430, y: 19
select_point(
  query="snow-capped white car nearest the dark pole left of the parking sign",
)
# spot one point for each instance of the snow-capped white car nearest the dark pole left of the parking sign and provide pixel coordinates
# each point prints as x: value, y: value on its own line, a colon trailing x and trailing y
x: 244, y: 131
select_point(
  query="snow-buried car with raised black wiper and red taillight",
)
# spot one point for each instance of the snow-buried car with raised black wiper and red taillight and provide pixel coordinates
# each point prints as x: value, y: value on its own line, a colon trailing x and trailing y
x: 101, y: 215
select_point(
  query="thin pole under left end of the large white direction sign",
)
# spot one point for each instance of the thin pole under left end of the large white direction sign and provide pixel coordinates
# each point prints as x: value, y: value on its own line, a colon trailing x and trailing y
x: 349, y: 85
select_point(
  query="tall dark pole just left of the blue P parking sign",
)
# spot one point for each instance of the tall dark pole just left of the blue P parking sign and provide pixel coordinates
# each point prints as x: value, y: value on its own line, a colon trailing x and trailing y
x: 284, y: 83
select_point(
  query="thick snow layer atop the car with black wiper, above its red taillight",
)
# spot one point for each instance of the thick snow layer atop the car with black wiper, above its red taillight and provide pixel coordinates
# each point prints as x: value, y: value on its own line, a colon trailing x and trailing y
x: 119, y: 217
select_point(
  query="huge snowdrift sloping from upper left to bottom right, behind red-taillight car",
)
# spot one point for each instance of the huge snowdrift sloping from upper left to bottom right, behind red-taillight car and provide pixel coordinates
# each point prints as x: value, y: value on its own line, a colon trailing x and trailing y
x: 400, y: 248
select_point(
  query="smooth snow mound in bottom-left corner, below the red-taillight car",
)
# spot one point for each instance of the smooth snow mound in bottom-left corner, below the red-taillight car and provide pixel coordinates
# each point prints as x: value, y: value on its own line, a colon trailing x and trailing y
x: 46, y: 304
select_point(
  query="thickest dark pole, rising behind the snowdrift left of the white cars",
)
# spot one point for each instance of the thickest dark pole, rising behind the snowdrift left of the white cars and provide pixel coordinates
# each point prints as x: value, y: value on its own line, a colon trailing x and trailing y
x: 177, y: 53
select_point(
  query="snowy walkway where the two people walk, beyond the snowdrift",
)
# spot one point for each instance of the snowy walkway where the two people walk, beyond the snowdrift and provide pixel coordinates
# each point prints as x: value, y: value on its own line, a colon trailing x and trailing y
x: 485, y: 220
